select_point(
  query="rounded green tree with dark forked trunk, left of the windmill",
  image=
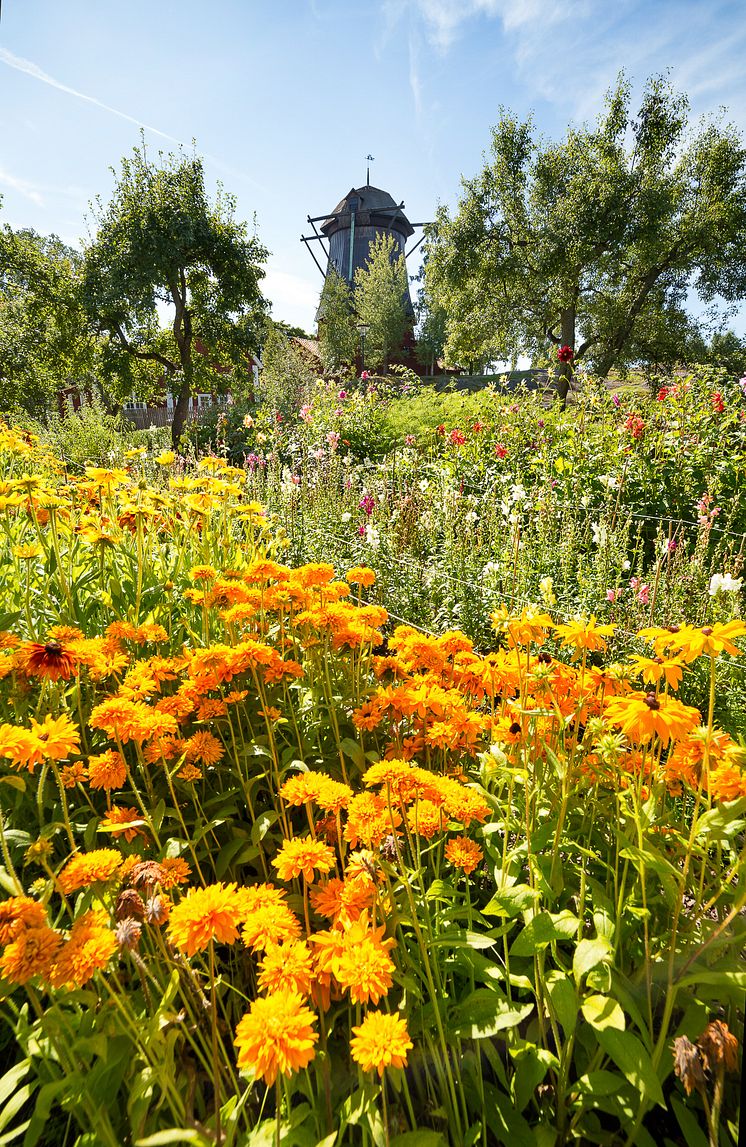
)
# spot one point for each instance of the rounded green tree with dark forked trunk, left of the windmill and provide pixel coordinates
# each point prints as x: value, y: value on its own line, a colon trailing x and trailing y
x: 162, y: 241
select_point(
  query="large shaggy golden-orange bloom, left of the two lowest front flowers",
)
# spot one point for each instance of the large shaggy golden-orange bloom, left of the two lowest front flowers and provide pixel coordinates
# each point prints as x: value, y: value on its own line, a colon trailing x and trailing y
x: 276, y: 1036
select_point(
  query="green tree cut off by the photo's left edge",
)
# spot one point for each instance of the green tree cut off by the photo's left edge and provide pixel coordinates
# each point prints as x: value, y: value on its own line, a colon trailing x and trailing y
x: 44, y: 339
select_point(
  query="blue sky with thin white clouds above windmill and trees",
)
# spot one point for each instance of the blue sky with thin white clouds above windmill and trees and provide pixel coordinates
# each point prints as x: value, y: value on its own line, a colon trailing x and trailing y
x: 286, y: 98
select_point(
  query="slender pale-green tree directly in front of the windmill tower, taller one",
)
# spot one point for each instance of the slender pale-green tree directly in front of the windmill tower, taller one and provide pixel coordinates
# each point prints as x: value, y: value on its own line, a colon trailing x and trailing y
x: 380, y: 300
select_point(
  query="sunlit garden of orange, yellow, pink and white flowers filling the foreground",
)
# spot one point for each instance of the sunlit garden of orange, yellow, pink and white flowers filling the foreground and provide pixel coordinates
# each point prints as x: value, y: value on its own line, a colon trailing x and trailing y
x: 283, y: 864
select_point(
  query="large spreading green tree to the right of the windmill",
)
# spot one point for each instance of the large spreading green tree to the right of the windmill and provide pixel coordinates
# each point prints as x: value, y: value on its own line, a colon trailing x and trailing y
x: 596, y: 241
